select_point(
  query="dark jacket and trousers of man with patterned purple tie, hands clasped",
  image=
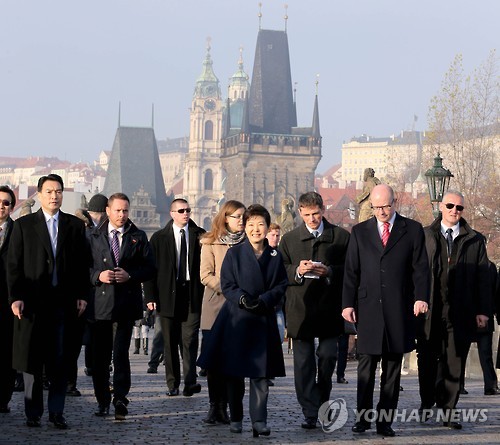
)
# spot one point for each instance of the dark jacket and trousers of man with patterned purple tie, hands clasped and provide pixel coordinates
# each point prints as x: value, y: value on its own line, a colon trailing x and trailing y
x: 118, y: 304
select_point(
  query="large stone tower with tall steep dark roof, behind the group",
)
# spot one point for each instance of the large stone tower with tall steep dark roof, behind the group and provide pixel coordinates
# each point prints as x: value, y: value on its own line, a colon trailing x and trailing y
x: 265, y: 156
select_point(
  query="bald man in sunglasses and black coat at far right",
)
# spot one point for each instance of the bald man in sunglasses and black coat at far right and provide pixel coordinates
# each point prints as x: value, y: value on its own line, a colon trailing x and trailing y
x: 460, y: 304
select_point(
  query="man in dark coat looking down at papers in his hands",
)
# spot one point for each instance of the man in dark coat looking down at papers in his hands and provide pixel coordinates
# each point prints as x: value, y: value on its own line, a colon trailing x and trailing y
x: 314, y: 255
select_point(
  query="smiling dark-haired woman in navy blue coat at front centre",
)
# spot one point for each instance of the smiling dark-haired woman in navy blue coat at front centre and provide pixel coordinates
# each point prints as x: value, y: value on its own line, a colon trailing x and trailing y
x: 245, y: 340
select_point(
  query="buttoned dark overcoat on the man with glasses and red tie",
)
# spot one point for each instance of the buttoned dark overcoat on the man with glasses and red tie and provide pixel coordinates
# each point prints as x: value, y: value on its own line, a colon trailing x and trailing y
x: 383, y: 284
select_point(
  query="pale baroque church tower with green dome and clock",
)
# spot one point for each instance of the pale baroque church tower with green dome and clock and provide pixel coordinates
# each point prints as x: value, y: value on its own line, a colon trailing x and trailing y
x: 203, y: 170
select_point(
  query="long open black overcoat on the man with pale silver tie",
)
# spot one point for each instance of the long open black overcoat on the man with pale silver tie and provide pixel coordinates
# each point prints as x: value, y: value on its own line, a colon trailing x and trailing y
x: 30, y: 265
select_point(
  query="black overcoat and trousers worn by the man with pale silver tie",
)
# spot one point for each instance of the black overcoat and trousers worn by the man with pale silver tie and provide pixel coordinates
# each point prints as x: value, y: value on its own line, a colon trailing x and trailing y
x: 43, y: 335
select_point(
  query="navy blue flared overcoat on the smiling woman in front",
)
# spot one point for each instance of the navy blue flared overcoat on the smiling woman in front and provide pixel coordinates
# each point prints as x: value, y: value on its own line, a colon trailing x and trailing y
x: 243, y: 344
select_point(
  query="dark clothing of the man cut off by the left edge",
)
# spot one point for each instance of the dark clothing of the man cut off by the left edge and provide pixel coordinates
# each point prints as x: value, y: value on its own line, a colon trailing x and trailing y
x: 7, y: 373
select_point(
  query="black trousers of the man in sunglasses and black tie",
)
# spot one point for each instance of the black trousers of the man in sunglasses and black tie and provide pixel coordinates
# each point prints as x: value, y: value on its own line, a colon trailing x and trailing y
x: 184, y: 334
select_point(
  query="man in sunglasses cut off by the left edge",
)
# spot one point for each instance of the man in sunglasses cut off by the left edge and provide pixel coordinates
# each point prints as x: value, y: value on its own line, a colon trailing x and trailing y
x: 7, y: 373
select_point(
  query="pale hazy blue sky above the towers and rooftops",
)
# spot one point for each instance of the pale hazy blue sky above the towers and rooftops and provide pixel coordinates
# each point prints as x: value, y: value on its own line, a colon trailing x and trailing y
x: 65, y: 65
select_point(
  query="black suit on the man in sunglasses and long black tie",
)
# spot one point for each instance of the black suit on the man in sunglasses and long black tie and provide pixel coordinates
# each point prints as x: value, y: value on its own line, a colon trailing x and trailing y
x: 179, y: 307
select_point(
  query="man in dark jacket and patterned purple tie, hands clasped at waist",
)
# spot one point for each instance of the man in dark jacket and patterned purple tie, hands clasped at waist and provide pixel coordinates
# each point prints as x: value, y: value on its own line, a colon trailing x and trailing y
x: 122, y: 261
